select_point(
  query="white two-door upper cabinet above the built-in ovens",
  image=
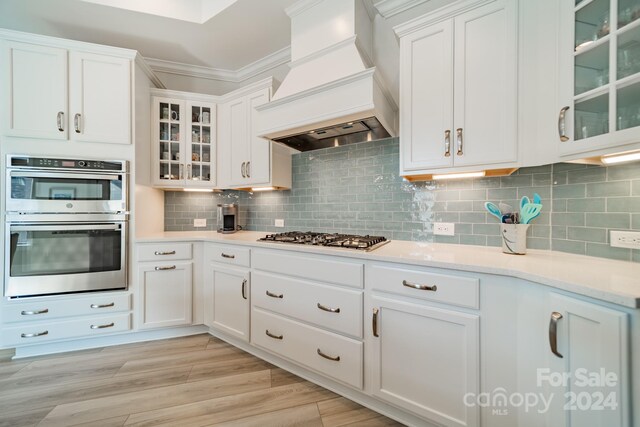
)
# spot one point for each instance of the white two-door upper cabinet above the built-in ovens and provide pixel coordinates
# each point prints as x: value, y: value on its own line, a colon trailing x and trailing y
x: 66, y: 94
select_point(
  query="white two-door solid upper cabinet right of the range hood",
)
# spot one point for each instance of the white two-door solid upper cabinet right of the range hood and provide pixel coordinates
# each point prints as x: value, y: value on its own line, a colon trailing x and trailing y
x: 458, y: 88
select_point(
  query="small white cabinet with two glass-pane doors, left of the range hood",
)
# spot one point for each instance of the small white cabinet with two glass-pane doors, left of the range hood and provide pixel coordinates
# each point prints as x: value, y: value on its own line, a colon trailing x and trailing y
x: 183, y: 143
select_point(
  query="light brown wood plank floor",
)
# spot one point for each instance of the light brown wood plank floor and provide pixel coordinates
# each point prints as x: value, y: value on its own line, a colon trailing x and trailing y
x: 191, y: 381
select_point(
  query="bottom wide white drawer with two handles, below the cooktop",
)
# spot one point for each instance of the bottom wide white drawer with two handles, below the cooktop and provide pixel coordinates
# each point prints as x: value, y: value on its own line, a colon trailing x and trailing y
x: 303, y: 344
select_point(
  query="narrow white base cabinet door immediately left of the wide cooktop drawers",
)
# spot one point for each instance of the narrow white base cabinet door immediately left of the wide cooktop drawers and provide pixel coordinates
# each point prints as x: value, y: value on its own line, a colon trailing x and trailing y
x: 227, y: 300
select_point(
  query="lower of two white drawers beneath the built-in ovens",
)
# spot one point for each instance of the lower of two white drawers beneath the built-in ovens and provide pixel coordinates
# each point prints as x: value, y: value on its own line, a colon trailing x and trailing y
x: 89, y: 326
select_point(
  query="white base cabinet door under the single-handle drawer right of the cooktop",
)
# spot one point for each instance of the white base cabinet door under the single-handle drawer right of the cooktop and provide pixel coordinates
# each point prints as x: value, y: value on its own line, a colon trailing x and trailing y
x: 424, y: 359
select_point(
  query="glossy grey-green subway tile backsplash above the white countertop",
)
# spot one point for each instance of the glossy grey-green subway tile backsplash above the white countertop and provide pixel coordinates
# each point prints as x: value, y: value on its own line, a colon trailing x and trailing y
x: 357, y: 189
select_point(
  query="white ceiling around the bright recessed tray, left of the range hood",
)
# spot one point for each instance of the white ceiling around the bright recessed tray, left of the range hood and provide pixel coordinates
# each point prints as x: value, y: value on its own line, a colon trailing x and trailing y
x: 237, y: 36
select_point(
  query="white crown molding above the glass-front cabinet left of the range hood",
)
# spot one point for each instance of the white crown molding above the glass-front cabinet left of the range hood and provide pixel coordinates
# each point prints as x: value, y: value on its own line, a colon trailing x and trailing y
x: 260, y: 66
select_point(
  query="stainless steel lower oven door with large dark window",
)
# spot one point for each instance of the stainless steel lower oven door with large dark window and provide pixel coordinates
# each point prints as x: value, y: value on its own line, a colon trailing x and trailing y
x: 46, y: 258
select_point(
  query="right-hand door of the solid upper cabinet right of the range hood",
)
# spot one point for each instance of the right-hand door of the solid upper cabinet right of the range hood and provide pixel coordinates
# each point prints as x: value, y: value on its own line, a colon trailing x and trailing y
x: 485, y: 101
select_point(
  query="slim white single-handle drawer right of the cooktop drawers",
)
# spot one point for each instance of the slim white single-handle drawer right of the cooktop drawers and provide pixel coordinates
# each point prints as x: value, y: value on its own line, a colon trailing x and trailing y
x: 444, y: 288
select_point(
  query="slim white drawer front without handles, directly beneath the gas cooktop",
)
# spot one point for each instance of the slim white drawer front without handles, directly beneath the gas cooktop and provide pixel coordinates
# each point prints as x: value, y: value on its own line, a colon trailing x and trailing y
x: 322, y: 269
